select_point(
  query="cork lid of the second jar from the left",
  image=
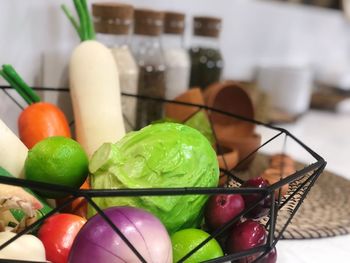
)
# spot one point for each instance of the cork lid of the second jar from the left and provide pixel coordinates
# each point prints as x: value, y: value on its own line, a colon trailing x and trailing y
x: 148, y: 22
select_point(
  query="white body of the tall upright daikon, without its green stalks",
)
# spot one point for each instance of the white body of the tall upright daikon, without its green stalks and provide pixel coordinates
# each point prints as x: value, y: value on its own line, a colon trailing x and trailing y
x: 95, y: 93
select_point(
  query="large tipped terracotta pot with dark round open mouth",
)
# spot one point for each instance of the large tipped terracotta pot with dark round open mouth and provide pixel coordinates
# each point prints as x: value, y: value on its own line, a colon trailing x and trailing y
x: 232, y: 98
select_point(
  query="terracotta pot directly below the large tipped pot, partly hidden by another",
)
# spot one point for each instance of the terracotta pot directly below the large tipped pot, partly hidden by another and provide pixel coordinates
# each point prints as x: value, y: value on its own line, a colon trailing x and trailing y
x: 245, y: 146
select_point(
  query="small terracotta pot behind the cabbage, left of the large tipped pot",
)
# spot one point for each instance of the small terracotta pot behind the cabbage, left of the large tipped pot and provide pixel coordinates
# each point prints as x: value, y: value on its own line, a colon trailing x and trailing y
x: 183, y: 112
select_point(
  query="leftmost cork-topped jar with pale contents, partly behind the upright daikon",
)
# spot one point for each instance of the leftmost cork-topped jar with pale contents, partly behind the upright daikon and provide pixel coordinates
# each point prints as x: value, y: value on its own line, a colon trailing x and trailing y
x: 113, y: 25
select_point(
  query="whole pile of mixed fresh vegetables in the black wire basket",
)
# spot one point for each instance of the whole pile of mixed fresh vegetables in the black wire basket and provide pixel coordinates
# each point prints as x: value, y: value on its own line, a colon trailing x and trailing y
x: 161, y: 155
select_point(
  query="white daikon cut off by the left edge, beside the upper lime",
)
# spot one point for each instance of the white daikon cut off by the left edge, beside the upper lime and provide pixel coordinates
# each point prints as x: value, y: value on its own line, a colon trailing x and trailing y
x: 13, y: 152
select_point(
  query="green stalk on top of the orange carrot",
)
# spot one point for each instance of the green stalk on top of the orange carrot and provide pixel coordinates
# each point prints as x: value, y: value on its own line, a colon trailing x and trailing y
x: 16, y: 82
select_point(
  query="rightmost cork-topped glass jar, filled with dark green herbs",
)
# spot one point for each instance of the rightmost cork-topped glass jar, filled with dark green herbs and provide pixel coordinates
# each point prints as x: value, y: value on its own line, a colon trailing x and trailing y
x: 205, y: 55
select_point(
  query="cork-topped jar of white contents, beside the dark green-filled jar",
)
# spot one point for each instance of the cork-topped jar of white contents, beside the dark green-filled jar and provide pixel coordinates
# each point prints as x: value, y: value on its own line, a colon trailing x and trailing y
x: 176, y: 57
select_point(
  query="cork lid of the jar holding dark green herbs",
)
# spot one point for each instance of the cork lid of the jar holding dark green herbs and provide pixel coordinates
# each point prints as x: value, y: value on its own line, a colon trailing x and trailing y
x: 206, y: 26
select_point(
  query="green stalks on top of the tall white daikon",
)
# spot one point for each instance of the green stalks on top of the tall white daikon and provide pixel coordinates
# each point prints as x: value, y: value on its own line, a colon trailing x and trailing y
x: 85, y: 28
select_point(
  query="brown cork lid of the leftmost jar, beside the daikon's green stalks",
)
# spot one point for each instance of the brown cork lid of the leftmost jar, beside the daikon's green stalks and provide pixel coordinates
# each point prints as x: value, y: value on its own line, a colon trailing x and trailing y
x: 112, y: 18
